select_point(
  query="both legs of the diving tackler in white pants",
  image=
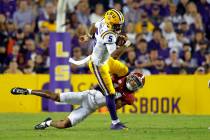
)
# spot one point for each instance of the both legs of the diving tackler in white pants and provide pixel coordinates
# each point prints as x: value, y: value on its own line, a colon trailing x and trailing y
x: 75, y: 117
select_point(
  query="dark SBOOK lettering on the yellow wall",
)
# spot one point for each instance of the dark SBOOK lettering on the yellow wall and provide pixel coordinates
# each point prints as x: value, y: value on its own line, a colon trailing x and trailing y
x: 154, y: 105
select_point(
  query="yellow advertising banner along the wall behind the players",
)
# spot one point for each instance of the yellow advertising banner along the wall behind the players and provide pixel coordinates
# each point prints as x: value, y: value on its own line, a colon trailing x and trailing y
x: 162, y: 94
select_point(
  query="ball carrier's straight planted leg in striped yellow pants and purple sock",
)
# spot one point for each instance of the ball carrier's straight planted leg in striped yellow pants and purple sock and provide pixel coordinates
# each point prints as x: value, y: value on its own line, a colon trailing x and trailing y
x: 104, y: 79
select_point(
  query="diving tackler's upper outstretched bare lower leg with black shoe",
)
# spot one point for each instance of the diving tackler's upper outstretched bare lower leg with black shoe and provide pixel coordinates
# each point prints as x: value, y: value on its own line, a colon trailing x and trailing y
x: 42, y: 93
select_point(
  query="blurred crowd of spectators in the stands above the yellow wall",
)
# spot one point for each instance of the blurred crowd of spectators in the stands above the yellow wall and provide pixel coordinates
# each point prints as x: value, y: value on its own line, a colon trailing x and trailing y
x: 168, y: 36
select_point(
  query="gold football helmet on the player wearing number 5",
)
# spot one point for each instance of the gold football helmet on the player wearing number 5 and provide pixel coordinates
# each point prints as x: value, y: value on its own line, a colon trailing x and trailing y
x: 114, y: 20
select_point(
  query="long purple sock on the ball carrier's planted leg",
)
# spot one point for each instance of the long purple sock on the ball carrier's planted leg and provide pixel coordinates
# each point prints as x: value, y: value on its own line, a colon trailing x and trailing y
x: 110, y: 103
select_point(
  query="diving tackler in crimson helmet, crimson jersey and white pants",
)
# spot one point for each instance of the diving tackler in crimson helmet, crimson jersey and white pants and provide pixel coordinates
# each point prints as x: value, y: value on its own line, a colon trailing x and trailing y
x: 88, y: 100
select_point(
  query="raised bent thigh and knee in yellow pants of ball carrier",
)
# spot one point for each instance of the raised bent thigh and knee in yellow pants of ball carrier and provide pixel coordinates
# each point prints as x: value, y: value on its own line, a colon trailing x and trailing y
x: 116, y: 67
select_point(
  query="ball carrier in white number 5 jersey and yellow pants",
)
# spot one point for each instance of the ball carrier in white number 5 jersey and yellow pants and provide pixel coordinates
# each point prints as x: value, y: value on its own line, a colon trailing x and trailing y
x: 101, y: 62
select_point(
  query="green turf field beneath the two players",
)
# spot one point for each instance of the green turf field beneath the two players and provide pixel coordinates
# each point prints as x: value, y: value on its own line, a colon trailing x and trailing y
x: 16, y: 126
